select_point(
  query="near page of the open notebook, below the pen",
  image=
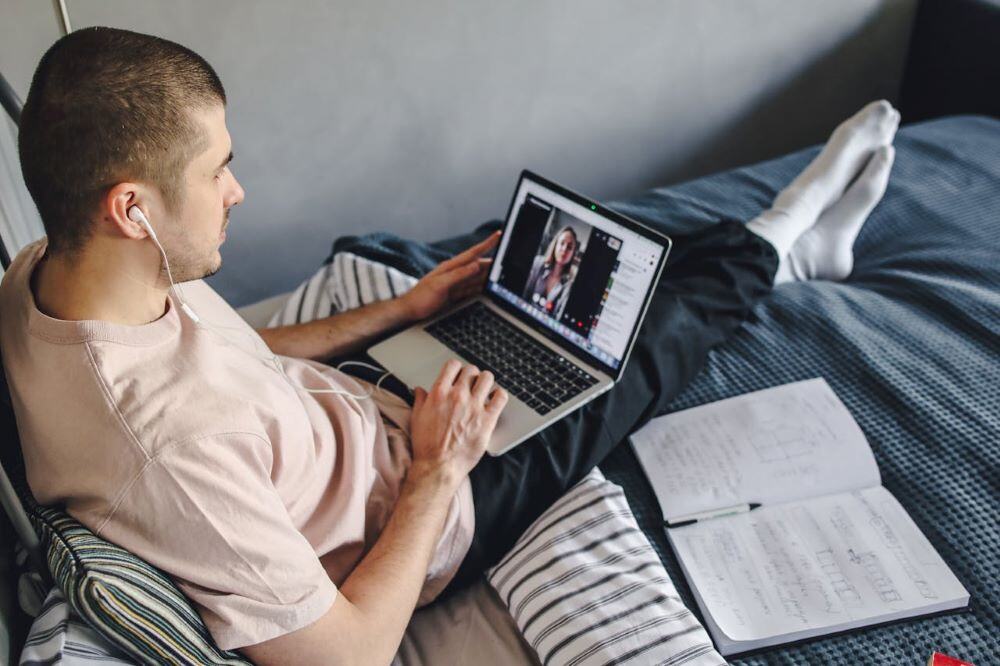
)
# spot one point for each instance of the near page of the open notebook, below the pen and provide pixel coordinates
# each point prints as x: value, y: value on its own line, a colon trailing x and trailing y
x: 793, y: 571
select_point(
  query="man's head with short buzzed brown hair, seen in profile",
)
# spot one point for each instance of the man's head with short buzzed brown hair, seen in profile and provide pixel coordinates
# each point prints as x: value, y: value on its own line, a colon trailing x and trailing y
x: 114, y: 119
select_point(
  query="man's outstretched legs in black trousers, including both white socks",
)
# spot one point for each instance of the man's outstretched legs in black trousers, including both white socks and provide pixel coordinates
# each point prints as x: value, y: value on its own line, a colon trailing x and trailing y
x: 711, y: 282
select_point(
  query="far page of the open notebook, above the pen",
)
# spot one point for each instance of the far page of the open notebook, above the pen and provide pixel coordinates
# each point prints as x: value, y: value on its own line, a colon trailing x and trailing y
x: 788, y: 442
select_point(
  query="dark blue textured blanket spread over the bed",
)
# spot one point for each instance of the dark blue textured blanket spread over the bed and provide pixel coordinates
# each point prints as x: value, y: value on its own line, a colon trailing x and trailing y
x: 910, y: 342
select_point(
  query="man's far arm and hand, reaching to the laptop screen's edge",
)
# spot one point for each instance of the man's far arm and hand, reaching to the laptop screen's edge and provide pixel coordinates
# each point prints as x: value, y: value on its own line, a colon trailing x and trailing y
x: 449, y: 282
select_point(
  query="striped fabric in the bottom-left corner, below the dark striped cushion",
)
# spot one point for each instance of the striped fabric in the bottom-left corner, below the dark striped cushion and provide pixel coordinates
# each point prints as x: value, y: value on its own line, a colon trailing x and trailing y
x: 58, y: 636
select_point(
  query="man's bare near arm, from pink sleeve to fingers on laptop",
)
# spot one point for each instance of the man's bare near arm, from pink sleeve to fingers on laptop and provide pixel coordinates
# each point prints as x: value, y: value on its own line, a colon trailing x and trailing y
x: 451, y: 427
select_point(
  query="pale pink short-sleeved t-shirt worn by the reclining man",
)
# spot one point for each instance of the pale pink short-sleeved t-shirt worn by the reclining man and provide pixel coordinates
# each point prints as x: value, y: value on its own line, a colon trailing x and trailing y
x: 179, y: 445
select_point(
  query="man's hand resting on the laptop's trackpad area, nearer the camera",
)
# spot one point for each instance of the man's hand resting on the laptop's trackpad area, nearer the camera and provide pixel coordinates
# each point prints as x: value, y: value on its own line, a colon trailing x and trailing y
x: 451, y: 425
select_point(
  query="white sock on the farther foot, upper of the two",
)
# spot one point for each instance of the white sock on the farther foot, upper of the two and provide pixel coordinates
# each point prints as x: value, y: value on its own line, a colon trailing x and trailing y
x: 797, y: 207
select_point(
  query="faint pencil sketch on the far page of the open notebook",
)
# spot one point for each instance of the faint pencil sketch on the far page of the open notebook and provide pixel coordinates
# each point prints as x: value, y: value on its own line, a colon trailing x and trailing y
x: 775, y: 437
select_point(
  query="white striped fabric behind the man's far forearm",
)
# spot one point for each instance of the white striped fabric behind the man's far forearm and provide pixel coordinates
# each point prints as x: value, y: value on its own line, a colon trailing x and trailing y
x: 348, y: 281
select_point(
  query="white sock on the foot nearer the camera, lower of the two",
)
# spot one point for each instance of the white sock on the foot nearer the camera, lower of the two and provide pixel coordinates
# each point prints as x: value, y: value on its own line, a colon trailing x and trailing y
x: 825, y: 252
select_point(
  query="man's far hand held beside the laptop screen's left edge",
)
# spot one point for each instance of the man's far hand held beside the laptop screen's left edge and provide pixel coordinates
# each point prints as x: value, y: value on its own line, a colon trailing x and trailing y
x: 459, y: 277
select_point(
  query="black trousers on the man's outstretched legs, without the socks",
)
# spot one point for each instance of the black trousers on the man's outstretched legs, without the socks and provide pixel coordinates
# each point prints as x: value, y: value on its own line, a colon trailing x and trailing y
x: 711, y: 281
